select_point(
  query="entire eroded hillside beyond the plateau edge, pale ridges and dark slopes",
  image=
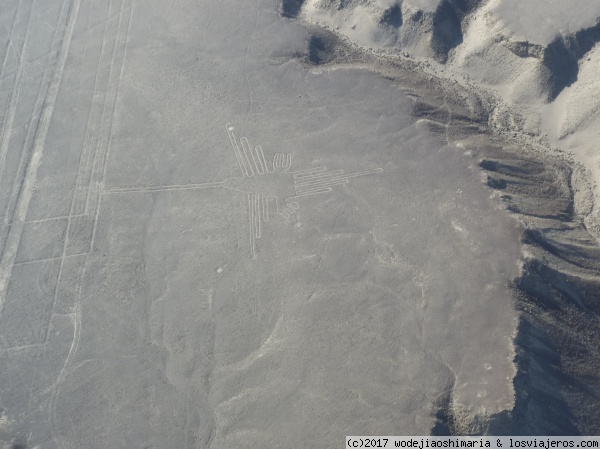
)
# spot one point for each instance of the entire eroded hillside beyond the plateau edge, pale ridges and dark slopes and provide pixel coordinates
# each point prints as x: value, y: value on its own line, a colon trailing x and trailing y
x: 515, y: 85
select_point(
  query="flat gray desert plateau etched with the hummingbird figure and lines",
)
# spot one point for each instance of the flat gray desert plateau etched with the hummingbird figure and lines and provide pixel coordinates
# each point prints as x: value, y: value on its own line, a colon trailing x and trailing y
x: 165, y: 285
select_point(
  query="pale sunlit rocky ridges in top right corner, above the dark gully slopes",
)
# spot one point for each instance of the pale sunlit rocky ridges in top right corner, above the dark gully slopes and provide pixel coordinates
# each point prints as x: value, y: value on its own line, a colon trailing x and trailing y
x: 538, y: 59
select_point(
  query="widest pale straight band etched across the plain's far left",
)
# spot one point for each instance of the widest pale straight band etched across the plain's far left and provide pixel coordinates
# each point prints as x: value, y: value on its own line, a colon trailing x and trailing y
x: 14, y: 236
